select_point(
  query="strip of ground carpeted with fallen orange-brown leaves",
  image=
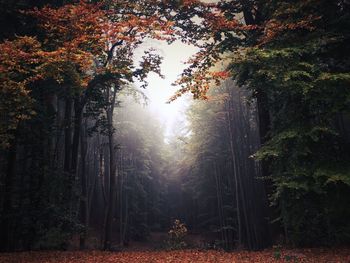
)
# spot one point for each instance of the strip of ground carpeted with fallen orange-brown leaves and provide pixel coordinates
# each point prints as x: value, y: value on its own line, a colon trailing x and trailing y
x: 181, y: 256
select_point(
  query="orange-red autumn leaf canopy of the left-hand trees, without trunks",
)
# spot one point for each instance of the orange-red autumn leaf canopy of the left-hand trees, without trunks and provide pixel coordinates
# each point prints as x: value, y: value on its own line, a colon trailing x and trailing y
x: 76, y: 43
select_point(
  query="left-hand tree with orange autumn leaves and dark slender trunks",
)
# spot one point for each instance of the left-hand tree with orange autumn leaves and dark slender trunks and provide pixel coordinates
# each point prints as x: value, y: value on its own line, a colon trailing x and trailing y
x: 82, y: 53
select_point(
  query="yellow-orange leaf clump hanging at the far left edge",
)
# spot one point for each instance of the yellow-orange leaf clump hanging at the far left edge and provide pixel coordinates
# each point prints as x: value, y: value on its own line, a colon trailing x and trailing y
x: 18, y: 68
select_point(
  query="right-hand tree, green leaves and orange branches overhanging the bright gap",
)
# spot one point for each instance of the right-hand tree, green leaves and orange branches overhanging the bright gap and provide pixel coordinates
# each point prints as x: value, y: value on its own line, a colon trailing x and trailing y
x: 287, y: 54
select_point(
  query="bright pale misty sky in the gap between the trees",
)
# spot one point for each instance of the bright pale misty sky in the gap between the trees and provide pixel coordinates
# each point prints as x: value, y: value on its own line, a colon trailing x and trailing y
x: 160, y: 90
